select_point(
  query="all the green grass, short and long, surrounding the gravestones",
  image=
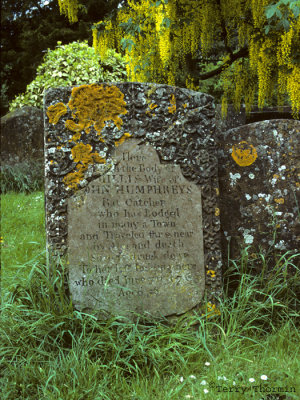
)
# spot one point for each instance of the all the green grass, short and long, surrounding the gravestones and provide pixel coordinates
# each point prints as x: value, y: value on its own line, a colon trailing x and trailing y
x: 48, y: 350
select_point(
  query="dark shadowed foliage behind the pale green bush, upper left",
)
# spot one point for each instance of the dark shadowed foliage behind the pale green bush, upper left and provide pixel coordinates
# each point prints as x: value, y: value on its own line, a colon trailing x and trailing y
x: 29, y: 27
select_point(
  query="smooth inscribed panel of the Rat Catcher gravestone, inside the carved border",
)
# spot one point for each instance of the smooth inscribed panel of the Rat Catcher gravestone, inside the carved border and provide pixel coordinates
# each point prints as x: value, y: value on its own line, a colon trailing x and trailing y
x: 135, y: 240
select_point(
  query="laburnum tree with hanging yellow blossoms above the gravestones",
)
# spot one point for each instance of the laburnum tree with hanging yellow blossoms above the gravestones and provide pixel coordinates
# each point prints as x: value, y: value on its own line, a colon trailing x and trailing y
x: 254, y: 45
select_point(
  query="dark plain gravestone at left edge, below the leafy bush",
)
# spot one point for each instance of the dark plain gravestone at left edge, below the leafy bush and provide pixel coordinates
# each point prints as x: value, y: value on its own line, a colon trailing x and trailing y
x: 22, y: 133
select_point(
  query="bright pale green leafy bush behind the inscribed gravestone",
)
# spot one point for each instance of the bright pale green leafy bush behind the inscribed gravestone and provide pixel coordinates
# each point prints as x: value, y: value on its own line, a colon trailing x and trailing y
x: 73, y: 64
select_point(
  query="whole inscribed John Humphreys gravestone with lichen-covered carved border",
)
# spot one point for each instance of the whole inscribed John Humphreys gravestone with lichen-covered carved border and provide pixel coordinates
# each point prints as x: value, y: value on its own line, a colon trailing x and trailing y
x: 131, y: 197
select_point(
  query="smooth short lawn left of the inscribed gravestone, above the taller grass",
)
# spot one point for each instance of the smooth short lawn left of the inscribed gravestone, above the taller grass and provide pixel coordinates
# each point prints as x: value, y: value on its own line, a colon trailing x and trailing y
x: 23, y: 235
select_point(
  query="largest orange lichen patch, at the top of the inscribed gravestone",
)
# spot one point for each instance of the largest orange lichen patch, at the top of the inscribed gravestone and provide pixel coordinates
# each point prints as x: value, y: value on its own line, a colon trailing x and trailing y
x: 94, y: 104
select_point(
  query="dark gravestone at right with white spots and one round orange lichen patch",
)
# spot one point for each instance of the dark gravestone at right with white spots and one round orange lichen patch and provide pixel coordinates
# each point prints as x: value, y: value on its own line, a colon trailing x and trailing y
x: 259, y: 186
